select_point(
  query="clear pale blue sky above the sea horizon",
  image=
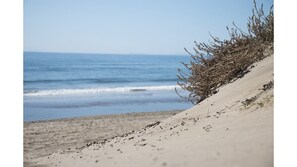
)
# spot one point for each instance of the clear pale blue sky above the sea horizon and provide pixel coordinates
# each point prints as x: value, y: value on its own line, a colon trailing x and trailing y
x: 129, y: 26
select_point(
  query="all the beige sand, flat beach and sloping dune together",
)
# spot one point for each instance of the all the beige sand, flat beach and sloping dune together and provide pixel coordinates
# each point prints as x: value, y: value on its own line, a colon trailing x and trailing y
x: 231, y: 128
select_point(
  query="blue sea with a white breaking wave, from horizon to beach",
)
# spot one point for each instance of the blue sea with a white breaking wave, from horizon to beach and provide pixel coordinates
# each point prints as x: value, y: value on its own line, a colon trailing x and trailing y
x: 65, y: 85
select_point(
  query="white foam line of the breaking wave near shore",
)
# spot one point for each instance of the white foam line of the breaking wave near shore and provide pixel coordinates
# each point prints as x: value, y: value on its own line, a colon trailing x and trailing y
x: 59, y: 92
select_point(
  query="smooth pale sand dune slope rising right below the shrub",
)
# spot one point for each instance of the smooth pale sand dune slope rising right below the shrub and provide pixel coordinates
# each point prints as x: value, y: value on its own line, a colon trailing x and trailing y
x: 231, y: 128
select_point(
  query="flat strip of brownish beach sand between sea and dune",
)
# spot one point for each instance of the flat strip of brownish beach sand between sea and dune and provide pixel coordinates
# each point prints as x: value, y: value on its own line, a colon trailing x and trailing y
x: 41, y: 138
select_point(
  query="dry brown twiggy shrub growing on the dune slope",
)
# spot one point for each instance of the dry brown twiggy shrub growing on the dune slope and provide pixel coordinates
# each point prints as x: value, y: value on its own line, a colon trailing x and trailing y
x: 222, y: 61
